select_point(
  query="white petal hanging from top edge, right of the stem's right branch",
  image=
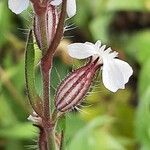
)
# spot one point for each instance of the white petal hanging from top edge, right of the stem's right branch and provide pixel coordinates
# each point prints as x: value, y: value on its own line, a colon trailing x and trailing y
x: 71, y: 8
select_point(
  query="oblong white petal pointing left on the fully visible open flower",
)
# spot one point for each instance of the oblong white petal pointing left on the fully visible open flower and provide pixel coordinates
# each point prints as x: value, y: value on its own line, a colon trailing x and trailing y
x: 81, y: 50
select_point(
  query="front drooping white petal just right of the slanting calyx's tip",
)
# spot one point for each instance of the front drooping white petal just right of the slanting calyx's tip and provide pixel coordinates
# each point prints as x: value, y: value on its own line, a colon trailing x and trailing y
x: 112, y: 76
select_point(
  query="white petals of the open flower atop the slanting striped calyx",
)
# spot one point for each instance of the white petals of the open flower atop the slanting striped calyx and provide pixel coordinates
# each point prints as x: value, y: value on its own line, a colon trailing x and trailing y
x: 115, y: 72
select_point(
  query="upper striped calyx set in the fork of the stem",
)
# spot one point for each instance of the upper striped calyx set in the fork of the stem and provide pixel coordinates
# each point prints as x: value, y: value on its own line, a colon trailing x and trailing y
x: 45, y: 26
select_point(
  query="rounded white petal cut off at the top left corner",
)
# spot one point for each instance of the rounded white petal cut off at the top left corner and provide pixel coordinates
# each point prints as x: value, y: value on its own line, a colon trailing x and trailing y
x: 17, y: 6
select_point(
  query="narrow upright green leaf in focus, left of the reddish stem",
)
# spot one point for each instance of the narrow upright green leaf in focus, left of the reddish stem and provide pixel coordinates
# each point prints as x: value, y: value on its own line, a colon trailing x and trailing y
x: 35, y: 100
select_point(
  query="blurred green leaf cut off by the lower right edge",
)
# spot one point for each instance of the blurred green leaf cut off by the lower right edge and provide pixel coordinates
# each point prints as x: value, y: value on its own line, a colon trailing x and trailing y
x: 142, y: 123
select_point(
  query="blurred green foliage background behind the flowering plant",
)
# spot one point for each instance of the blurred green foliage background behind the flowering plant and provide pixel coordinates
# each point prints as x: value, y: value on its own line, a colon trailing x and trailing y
x: 105, y: 121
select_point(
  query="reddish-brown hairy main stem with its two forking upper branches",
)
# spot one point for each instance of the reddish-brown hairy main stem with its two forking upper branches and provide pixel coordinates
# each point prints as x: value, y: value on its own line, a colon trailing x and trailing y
x: 48, y: 141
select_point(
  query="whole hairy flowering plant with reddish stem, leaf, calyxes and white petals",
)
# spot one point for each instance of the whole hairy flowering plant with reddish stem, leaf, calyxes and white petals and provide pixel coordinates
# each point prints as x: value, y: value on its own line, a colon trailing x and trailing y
x: 47, y: 32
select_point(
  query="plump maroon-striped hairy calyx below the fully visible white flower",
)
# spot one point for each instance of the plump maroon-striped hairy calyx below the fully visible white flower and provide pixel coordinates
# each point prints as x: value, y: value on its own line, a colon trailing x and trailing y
x: 73, y: 89
